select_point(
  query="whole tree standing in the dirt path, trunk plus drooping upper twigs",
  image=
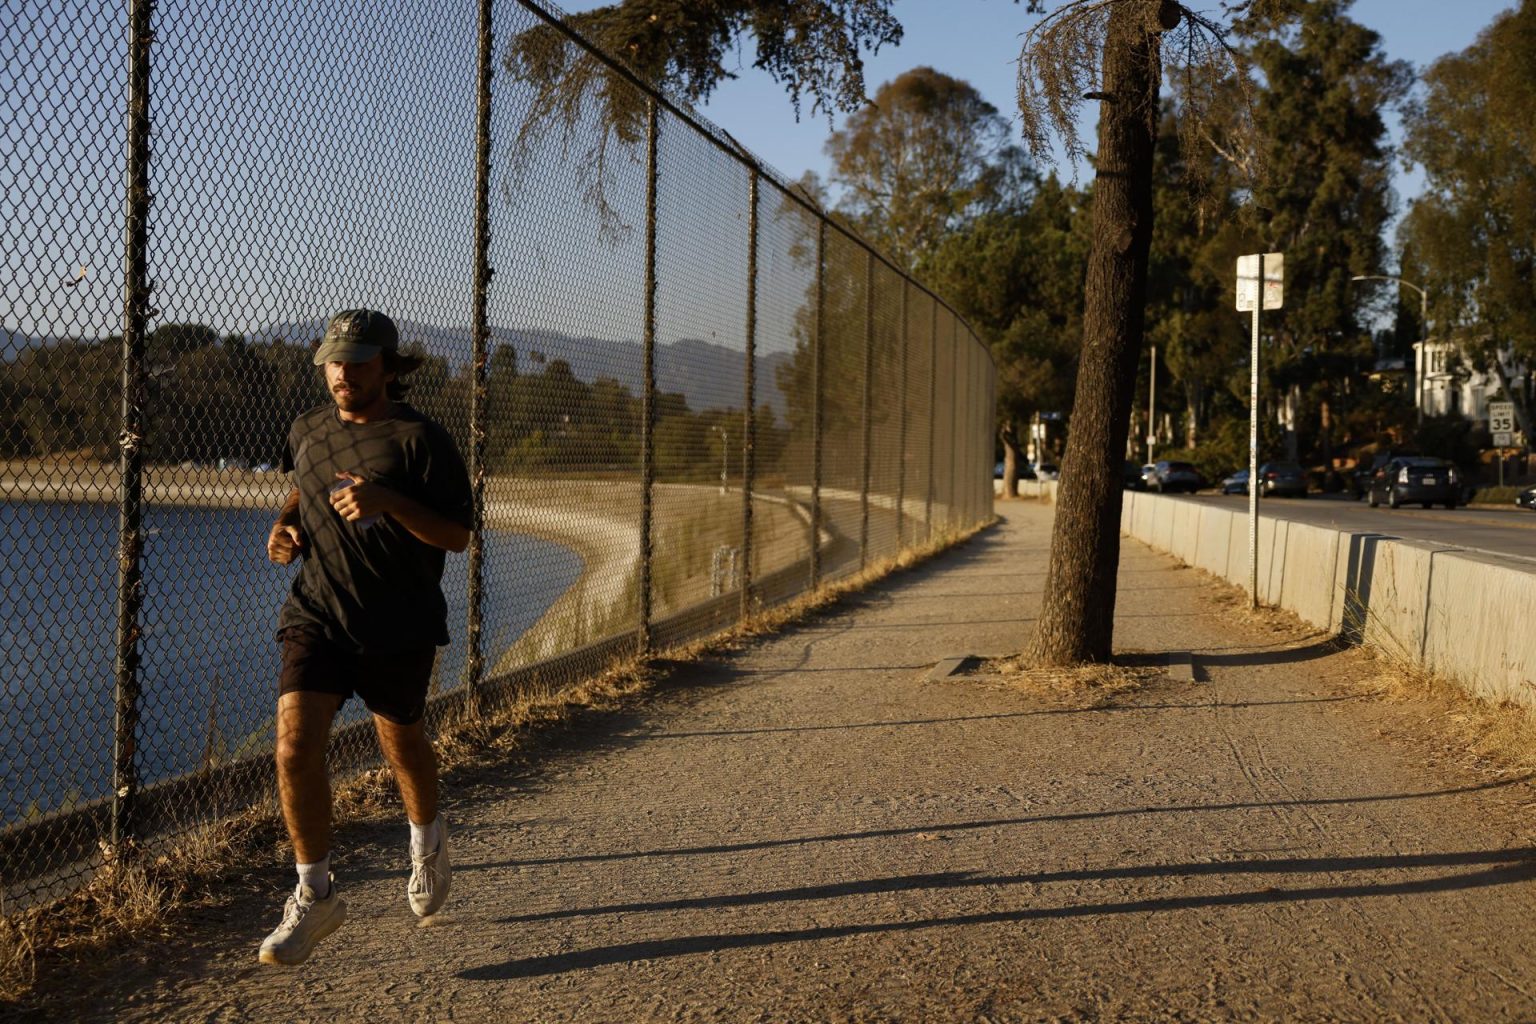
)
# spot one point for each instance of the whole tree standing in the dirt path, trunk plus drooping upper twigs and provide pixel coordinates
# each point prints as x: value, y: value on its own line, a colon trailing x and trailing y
x: 1113, y: 53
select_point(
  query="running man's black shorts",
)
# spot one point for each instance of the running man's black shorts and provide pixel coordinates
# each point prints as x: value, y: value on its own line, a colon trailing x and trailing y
x: 391, y: 685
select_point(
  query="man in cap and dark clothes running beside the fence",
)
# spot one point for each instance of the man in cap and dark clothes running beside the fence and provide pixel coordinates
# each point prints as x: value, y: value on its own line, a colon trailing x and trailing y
x: 380, y: 495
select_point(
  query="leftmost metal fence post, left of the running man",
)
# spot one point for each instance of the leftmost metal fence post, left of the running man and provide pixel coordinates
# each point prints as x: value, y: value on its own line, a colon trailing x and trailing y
x: 131, y: 437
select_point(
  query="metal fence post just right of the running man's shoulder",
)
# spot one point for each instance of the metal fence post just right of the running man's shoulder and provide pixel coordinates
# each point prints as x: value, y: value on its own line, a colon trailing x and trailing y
x: 475, y: 661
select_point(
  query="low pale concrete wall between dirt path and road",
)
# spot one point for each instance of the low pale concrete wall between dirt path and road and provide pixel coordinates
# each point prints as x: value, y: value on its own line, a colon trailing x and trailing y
x: 1462, y: 615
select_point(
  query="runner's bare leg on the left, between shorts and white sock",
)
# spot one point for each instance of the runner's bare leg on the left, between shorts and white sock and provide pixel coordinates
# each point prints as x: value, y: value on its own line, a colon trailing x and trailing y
x: 303, y: 787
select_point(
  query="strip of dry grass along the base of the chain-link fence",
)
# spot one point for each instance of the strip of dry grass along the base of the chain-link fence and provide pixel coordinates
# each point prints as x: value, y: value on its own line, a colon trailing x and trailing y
x: 141, y: 897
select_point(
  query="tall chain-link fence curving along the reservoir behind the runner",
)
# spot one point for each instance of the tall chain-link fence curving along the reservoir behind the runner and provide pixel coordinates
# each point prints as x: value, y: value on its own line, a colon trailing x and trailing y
x: 683, y: 391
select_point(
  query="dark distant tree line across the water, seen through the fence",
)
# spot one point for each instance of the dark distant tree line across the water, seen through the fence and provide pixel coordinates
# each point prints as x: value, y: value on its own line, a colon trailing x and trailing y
x: 228, y: 400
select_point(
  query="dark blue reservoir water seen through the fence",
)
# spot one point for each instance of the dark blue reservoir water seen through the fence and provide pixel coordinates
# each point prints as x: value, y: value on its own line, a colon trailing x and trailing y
x: 210, y: 661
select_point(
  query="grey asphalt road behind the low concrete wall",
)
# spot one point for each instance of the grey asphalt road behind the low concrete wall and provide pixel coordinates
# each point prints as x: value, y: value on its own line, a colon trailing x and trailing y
x: 1509, y: 532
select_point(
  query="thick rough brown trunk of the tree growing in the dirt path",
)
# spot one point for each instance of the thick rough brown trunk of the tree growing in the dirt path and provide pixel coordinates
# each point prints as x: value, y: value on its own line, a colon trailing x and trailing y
x: 1078, y: 619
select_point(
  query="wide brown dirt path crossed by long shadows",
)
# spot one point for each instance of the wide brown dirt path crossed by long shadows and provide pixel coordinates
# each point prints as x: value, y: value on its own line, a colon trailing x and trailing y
x: 813, y: 831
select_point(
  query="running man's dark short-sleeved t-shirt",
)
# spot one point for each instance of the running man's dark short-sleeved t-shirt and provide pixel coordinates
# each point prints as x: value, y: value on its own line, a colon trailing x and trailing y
x: 374, y: 587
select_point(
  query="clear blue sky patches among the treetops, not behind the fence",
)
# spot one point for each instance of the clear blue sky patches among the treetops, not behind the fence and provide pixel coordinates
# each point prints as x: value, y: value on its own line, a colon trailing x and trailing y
x: 978, y: 41
